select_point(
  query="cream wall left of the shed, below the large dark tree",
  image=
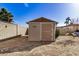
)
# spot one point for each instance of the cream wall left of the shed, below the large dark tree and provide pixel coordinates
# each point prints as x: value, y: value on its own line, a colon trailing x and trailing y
x: 9, y: 30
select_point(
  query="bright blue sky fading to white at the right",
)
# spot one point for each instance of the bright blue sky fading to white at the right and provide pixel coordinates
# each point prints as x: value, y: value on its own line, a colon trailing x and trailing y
x: 24, y: 12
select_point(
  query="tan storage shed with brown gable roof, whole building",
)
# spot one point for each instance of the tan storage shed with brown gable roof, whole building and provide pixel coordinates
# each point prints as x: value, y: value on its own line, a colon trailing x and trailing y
x: 41, y: 29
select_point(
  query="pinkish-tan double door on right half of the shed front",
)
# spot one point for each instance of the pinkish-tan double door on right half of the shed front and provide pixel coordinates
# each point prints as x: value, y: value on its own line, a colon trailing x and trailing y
x: 47, y: 32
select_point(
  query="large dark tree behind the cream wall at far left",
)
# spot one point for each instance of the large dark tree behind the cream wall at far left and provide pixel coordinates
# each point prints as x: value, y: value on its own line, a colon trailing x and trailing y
x: 5, y: 15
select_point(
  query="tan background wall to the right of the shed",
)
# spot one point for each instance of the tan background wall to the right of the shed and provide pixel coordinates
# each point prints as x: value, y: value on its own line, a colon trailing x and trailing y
x: 68, y: 29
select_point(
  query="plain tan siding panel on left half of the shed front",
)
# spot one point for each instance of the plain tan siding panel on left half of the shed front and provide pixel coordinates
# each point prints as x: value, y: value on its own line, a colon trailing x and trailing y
x: 34, y: 31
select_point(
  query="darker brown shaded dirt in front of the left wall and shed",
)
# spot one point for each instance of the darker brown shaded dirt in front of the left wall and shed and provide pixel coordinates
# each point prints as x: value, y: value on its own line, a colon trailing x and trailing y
x: 19, y: 44
